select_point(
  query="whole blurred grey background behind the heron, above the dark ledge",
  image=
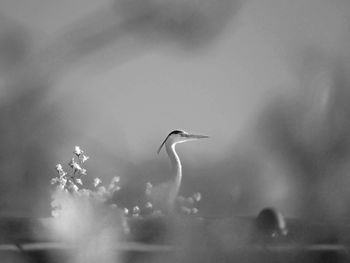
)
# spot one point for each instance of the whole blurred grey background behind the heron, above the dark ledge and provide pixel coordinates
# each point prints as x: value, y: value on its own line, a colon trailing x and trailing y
x: 267, y: 80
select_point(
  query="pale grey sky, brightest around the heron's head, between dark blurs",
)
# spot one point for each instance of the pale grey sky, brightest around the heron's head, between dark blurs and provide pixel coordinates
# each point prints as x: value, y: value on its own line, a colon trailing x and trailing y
x: 218, y: 90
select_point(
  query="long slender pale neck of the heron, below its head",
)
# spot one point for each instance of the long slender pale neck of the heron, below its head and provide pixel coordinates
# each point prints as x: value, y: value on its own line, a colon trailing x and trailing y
x: 176, y: 173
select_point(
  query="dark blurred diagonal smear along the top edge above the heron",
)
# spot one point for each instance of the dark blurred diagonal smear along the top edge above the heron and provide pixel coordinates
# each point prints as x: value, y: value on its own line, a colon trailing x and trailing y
x: 130, y: 28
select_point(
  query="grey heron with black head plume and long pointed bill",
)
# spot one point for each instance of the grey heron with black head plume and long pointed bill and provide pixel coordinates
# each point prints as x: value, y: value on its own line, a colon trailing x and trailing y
x: 172, y: 187
